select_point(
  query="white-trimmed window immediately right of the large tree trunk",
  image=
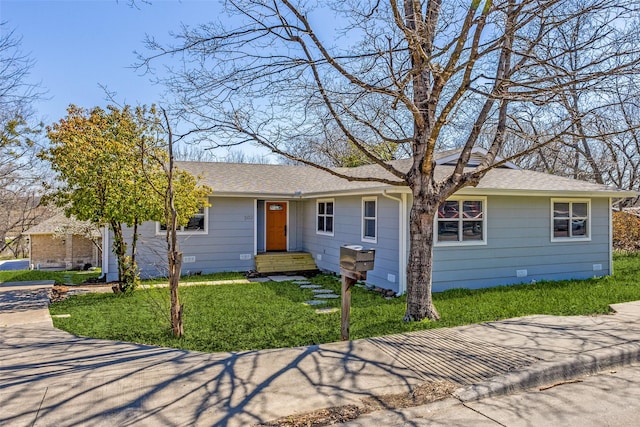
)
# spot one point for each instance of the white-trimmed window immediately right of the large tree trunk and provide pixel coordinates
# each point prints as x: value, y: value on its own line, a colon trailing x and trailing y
x: 462, y: 221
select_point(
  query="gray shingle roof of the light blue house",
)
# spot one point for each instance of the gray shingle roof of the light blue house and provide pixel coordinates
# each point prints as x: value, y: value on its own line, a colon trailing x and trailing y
x: 290, y: 181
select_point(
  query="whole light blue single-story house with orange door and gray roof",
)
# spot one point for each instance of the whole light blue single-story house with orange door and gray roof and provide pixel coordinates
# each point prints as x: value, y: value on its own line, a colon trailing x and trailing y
x: 516, y: 226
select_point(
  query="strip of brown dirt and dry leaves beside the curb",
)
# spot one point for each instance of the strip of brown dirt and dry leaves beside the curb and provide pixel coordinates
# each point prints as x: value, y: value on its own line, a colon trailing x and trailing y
x: 420, y: 395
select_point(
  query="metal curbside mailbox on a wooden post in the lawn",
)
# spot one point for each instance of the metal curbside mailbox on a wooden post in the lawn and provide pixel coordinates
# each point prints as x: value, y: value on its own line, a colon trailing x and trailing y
x: 354, y: 264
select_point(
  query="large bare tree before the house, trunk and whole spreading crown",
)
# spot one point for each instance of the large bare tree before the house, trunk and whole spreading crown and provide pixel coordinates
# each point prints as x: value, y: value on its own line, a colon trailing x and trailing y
x: 423, y: 74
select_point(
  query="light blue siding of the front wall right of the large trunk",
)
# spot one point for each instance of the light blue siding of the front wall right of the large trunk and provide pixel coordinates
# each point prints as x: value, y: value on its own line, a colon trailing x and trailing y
x: 519, y: 238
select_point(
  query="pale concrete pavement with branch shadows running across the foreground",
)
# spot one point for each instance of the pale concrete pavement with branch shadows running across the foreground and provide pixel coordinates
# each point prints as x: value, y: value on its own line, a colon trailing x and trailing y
x: 49, y: 377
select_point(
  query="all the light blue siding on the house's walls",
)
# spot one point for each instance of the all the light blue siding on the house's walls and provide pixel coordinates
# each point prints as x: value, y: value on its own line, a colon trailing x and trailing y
x: 518, y: 238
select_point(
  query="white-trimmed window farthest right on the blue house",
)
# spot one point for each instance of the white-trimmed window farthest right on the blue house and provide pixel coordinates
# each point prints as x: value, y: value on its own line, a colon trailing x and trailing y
x: 570, y: 219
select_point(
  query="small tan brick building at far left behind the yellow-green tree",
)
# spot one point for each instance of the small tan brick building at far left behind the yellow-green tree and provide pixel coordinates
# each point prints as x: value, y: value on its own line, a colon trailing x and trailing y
x: 61, y: 243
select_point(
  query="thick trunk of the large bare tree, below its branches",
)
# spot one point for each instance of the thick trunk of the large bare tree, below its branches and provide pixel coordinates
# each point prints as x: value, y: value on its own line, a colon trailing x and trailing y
x: 420, y: 267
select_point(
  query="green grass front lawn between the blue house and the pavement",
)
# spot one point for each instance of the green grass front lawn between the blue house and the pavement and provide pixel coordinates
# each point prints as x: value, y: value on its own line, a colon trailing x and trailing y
x: 269, y: 315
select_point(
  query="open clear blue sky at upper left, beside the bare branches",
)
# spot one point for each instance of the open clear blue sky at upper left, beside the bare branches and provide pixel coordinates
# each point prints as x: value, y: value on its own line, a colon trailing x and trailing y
x: 78, y: 45
